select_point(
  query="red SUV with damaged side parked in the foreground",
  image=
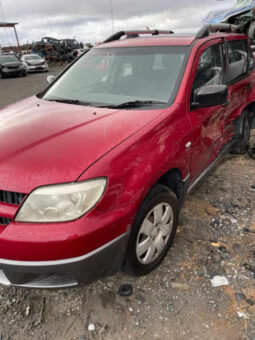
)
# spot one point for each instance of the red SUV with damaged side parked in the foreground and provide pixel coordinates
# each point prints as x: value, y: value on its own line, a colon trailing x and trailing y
x: 94, y: 169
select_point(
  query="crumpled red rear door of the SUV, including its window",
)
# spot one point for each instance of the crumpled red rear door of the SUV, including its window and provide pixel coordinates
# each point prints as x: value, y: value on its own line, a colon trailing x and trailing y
x: 238, y: 81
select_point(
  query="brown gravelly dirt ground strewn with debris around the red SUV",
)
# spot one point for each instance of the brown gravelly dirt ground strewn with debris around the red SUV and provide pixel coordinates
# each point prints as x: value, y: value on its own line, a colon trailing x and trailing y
x: 216, y: 236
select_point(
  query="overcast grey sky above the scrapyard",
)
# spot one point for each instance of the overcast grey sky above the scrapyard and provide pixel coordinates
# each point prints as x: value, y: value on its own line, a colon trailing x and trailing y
x: 90, y: 20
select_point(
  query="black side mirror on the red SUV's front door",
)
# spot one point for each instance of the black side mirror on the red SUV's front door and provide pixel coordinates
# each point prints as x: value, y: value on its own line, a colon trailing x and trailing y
x: 210, y: 95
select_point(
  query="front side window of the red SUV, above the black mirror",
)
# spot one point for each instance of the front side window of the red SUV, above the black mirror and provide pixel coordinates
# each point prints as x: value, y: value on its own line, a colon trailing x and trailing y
x: 209, y: 69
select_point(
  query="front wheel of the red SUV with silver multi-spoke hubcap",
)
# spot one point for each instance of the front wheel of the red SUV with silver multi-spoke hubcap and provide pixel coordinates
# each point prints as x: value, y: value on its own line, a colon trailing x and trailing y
x: 149, y: 241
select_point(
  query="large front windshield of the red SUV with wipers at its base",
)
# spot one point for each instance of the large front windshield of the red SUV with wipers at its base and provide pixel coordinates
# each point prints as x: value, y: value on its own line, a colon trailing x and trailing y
x: 113, y: 76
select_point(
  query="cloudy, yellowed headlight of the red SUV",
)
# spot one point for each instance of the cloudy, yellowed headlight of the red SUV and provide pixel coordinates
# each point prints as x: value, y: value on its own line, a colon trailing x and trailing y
x: 63, y: 202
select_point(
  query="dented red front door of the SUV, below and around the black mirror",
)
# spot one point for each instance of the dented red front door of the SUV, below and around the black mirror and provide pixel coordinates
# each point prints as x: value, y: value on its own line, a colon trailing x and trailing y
x: 208, y: 69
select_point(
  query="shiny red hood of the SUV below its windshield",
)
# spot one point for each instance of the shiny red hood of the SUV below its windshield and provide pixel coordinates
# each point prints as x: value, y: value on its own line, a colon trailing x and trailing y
x: 47, y: 142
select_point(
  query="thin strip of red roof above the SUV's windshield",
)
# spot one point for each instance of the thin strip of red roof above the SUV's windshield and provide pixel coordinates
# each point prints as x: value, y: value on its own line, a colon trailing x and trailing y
x: 164, y: 40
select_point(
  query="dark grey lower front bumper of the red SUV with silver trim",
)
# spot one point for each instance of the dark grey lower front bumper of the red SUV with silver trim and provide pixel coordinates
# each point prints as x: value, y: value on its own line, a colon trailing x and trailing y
x: 102, y: 262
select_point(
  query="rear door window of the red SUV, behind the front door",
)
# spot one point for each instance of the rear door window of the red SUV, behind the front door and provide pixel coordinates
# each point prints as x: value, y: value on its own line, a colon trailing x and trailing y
x: 237, y: 59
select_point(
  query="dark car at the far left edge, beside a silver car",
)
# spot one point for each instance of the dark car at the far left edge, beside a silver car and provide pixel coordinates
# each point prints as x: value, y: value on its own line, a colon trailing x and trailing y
x: 11, y: 66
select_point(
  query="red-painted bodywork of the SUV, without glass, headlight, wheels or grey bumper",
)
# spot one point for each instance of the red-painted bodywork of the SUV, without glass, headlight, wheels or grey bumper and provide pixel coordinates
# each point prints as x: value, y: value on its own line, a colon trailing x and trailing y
x: 58, y: 143
